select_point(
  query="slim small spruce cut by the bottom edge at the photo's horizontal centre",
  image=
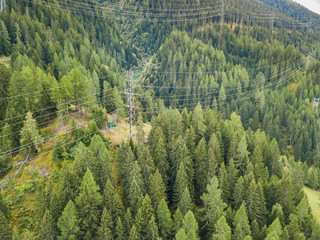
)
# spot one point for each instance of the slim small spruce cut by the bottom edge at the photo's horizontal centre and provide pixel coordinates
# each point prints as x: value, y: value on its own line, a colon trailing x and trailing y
x: 165, y: 220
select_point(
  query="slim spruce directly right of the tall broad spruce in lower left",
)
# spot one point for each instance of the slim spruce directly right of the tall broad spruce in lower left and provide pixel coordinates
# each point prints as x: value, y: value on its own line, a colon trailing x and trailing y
x: 112, y: 202
